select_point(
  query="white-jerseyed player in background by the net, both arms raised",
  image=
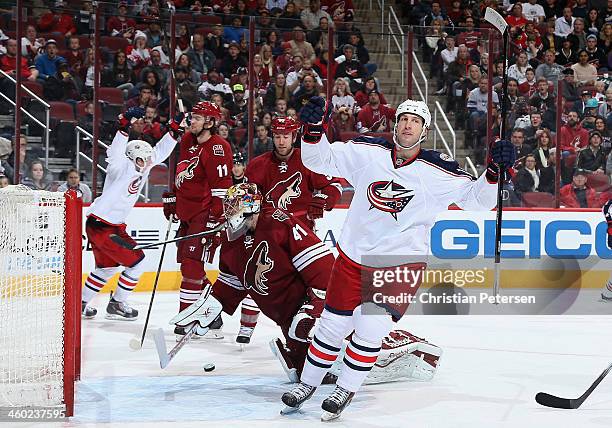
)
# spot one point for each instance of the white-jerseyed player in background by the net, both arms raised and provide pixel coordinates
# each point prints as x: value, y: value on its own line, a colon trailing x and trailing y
x: 129, y: 164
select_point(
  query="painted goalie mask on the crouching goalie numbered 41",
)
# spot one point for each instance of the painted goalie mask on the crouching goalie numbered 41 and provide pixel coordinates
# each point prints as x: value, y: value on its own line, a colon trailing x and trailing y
x: 241, y: 202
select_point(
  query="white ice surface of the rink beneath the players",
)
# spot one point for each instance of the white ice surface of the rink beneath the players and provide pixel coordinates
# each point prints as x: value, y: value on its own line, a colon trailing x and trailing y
x: 491, y: 369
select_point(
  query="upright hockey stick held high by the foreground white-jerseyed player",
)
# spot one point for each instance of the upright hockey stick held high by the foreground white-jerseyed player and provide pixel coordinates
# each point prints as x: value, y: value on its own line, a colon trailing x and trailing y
x: 494, y: 18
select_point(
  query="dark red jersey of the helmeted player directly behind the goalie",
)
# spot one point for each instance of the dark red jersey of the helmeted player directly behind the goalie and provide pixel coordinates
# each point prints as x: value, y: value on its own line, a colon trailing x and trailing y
x: 289, y: 185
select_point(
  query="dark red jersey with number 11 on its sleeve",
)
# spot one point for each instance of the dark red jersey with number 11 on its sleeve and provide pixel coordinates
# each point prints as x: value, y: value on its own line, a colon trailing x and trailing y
x: 203, y: 174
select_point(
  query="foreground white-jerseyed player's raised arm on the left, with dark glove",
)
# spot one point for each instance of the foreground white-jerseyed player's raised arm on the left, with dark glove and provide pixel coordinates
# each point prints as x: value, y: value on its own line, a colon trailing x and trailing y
x: 318, y: 155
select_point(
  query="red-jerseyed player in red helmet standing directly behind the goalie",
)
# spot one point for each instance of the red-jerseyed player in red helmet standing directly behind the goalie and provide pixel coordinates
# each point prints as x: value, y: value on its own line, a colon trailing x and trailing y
x: 287, y: 184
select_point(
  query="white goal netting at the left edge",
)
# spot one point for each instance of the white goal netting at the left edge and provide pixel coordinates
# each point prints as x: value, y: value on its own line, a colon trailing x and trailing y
x: 32, y: 249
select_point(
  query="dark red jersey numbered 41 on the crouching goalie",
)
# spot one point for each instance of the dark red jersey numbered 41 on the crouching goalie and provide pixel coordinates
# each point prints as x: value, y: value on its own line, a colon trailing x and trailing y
x: 275, y: 264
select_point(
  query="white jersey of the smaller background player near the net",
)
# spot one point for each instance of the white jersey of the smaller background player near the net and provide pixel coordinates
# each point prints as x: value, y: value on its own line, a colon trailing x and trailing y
x: 123, y: 183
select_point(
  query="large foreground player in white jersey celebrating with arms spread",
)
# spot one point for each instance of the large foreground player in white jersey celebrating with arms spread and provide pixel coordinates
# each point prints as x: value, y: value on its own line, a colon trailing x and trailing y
x: 399, y: 190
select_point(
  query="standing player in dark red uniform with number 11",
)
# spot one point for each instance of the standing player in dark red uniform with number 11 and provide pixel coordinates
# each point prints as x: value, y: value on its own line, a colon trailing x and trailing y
x: 203, y: 174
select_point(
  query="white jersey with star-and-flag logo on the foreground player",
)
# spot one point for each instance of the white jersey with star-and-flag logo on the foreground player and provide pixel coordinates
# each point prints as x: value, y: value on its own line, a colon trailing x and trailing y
x: 395, y: 201
